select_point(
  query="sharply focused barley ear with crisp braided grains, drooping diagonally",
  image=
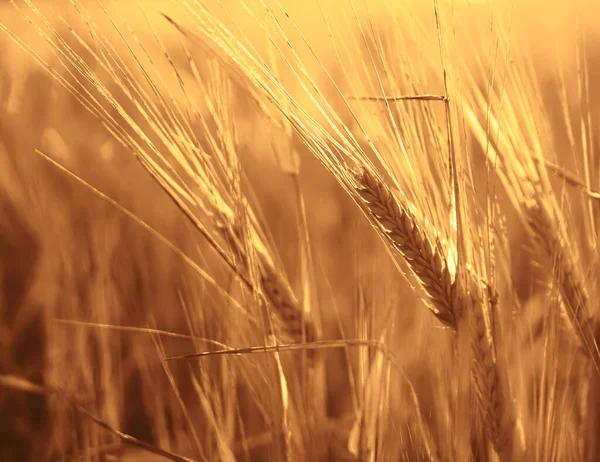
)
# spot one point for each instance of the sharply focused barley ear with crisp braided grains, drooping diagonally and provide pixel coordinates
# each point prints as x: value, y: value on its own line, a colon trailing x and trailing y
x: 404, y: 234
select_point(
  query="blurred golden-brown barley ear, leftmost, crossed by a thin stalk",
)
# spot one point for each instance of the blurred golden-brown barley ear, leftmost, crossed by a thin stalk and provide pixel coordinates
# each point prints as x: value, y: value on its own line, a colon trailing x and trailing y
x: 289, y: 319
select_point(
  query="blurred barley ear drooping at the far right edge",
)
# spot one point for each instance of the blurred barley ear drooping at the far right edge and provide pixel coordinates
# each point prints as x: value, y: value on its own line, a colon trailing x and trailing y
x: 575, y: 298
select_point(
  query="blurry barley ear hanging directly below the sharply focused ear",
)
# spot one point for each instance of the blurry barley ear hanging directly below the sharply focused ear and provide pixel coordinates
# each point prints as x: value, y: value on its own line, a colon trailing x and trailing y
x: 490, y: 388
